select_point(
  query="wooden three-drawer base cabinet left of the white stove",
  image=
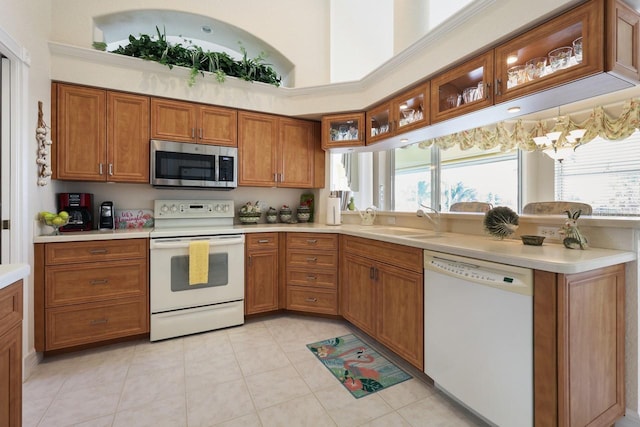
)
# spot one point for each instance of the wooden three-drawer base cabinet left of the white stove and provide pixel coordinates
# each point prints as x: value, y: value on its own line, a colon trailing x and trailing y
x: 90, y: 292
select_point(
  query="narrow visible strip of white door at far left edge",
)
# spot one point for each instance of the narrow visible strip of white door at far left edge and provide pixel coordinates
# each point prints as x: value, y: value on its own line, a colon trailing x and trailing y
x: 5, y: 156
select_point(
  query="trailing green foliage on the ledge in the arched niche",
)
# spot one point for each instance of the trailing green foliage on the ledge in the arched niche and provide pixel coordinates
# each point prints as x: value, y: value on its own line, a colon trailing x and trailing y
x: 221, y: 64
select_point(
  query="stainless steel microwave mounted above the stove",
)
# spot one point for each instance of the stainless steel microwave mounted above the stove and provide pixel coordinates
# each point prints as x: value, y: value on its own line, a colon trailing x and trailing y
x: 184, y: 164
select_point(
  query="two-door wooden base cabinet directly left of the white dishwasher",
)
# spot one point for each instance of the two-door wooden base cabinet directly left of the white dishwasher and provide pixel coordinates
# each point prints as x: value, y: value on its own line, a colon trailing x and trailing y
x: 384, y: 300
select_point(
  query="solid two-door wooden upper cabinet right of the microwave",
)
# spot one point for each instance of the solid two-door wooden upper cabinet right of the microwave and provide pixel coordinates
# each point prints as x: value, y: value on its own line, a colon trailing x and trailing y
x: 278, y: 152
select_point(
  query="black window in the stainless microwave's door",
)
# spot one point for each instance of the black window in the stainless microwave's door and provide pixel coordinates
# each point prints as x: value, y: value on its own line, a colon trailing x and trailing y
x: 172, y: 165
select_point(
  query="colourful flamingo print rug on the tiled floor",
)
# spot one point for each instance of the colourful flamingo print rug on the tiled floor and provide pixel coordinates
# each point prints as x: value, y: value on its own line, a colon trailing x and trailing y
x: 359, y: 368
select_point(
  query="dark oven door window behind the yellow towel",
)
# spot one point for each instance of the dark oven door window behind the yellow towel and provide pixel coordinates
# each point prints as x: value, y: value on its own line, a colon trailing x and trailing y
x: 218, y: 272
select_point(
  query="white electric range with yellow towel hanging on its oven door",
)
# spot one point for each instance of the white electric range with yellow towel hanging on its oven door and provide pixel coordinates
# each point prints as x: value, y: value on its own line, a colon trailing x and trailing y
x: 178, y: 307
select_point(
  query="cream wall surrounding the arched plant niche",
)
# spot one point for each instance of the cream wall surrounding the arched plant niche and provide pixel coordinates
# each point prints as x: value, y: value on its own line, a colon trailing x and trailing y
x: 297, y: 29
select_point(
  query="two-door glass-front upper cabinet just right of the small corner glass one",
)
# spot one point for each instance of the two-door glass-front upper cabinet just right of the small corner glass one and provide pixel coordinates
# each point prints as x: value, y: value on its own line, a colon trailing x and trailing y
x: 403, y: 113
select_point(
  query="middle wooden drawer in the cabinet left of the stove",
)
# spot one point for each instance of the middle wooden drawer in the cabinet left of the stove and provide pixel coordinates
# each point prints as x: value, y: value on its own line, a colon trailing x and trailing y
x: 69, y: 284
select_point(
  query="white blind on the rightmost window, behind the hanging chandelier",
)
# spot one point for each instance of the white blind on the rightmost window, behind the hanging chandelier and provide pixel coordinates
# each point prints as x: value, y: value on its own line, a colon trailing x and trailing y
x: 604, y: 174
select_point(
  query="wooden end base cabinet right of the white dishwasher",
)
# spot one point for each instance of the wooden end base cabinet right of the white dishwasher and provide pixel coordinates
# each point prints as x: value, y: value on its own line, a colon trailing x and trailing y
x: 579, y: 348
